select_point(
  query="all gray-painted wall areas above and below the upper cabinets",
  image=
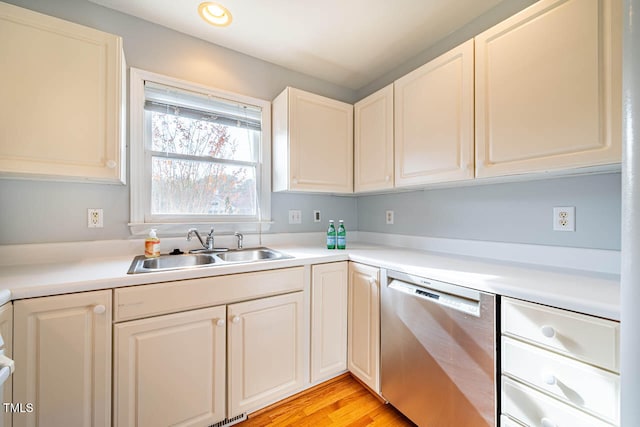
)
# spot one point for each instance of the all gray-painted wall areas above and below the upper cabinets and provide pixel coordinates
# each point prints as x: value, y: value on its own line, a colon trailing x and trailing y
x: 36, y: 211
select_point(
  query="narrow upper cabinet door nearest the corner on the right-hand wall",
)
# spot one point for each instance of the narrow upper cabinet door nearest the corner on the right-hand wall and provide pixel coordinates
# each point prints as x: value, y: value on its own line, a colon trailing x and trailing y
x: 373, y: 141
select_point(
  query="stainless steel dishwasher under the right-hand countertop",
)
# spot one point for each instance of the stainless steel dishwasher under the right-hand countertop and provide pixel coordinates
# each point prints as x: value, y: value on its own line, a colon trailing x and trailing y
x: 438, y: 351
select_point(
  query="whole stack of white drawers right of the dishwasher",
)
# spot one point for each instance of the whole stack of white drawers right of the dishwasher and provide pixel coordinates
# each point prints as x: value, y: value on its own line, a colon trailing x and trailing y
x: 558, y: 367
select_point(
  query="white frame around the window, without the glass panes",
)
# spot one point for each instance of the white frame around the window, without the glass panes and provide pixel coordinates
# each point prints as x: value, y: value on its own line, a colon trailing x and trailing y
x: 140, y: 181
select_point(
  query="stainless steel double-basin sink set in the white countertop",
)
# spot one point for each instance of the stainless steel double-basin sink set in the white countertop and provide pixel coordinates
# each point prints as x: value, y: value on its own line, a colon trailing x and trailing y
x: 141, y: 264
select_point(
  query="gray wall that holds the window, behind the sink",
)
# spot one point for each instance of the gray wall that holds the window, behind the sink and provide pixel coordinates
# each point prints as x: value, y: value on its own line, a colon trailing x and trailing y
x: 37, y: 211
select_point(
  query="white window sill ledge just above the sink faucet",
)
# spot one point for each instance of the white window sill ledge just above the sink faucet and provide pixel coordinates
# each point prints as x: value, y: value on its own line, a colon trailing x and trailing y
x: 175, y: 229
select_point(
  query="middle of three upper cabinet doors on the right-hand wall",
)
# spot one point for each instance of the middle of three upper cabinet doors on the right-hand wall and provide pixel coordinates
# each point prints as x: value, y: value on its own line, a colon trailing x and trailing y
x: 434, y: 120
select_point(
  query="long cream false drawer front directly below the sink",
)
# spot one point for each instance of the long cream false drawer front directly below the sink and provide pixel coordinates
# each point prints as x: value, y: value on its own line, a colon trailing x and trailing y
x: 162, y: 298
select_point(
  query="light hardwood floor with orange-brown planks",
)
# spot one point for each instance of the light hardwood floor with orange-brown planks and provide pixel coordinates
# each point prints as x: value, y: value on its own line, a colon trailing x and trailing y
x: 339, y: 402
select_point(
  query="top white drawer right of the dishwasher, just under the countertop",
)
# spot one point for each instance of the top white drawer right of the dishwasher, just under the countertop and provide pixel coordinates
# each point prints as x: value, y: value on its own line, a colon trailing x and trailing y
x: 590, y: 339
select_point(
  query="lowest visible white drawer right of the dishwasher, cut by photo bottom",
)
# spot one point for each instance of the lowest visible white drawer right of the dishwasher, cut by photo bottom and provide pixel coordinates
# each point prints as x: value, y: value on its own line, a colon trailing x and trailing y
x: 533, y: 408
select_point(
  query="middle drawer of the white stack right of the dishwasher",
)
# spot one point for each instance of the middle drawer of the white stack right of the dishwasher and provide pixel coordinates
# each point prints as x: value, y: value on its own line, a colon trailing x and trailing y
x: 587, y: 387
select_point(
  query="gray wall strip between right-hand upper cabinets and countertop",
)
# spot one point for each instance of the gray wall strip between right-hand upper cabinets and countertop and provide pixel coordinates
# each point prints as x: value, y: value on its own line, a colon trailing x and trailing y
x: 519, y: 212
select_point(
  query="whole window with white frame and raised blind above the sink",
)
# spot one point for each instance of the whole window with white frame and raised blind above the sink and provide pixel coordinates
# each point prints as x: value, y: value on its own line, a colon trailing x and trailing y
x: 198, y: 155
